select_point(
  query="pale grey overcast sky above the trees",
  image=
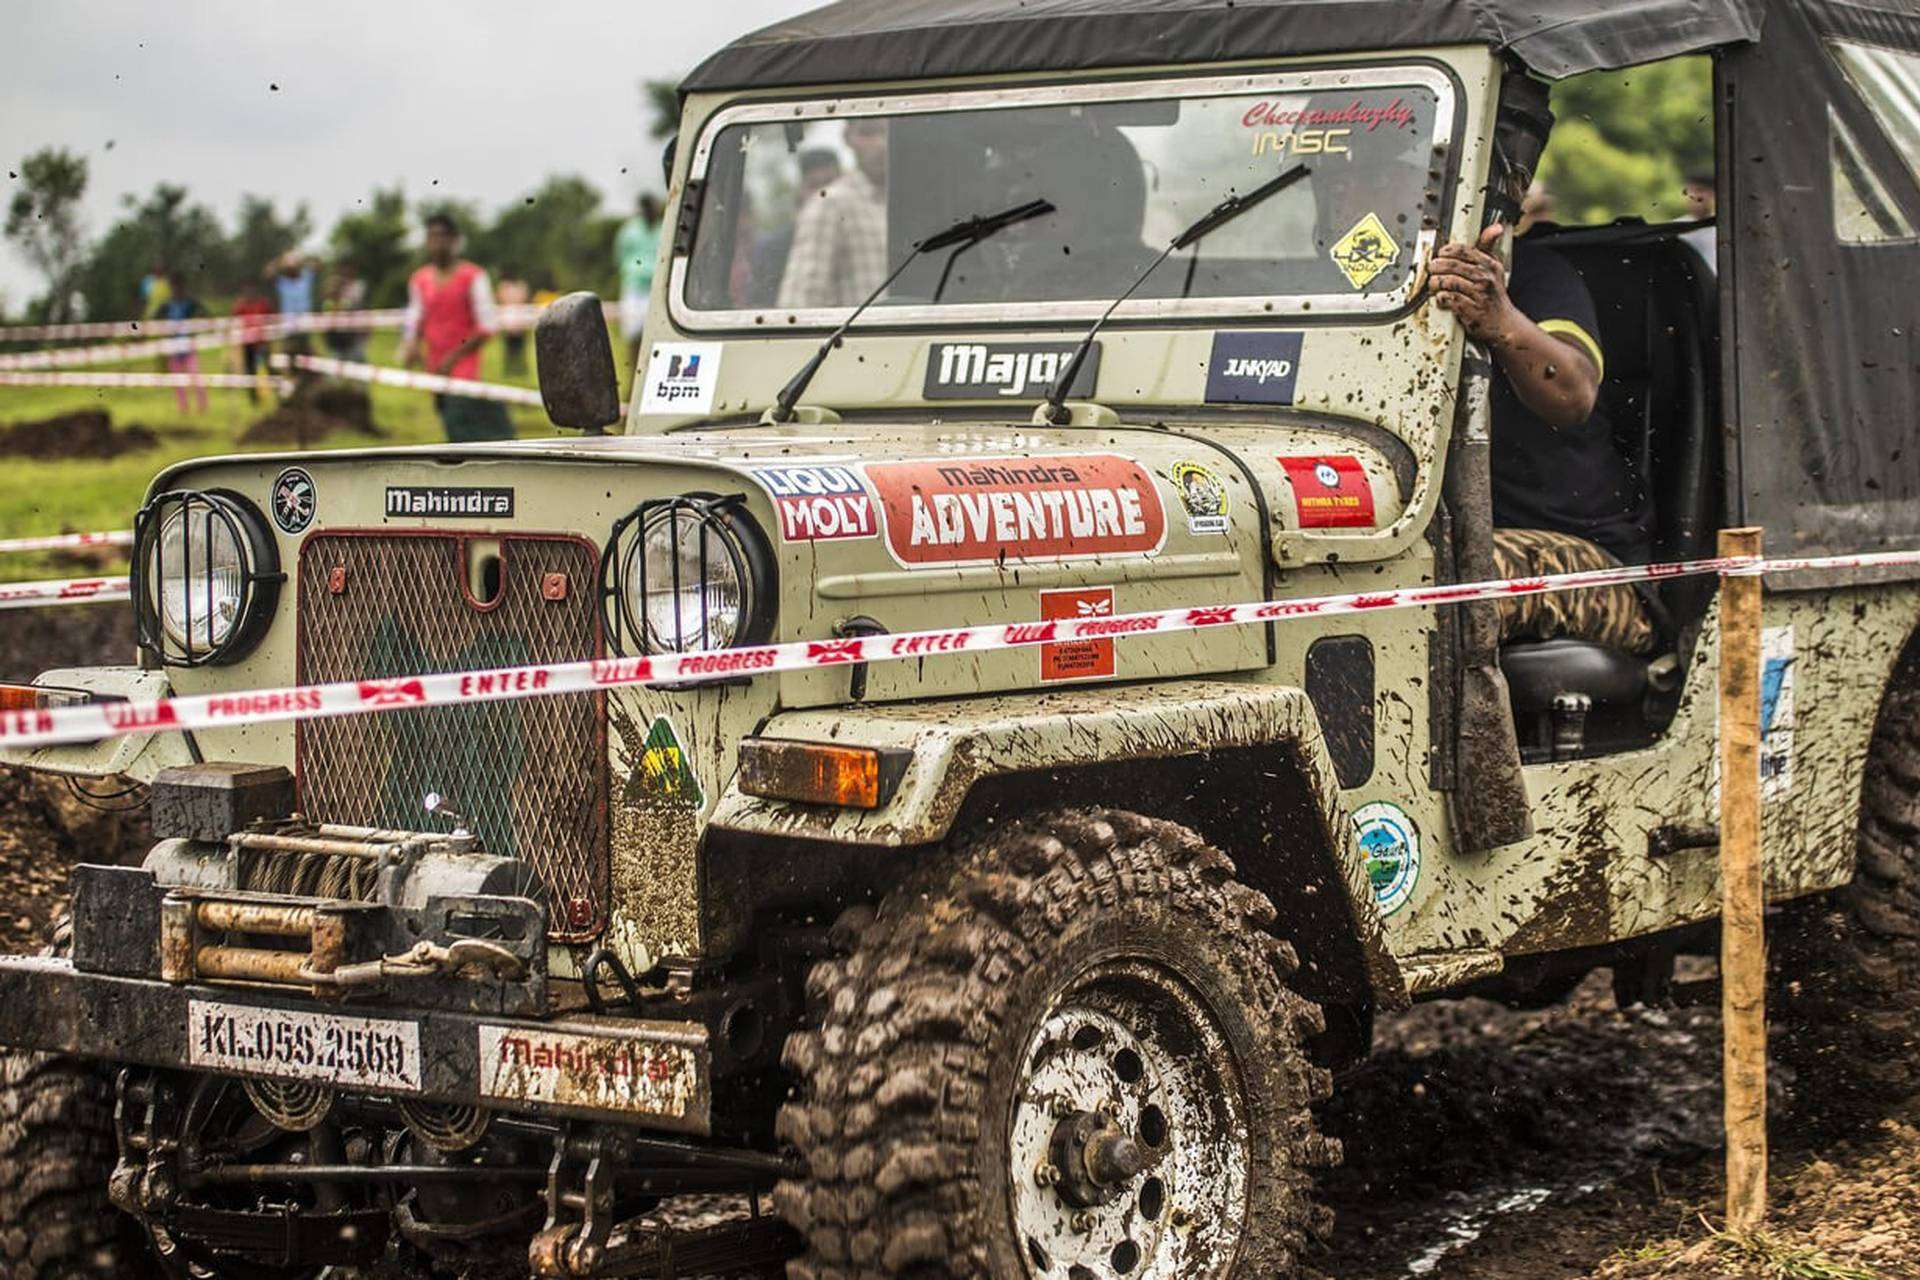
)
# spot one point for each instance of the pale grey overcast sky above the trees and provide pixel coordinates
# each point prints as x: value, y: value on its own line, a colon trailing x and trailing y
x: 483, y: 95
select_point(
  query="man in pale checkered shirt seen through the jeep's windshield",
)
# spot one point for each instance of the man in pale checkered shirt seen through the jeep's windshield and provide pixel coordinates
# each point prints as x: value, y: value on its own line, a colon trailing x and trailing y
x: 840, y: 241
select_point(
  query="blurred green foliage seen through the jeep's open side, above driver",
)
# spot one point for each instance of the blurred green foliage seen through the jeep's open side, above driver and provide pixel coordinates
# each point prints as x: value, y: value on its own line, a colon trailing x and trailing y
x: 1627, y: 141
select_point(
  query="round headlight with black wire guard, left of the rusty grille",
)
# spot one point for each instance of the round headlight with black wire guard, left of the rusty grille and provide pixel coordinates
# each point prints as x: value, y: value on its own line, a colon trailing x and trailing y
x: 206, y: 577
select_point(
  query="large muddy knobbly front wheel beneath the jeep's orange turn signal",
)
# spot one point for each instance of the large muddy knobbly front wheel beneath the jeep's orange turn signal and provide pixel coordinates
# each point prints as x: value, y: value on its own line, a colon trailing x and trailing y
x: 1017, y: 1014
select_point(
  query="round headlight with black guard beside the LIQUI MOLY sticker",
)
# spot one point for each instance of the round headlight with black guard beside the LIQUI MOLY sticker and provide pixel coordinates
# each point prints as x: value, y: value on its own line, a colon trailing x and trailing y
x: 686, y: 573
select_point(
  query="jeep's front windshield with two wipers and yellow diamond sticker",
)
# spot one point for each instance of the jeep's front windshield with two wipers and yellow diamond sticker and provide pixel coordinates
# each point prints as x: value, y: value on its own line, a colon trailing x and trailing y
x: 807, y: 208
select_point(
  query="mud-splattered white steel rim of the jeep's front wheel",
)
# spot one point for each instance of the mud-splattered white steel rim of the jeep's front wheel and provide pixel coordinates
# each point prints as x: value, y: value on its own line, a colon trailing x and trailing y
x: 1132, y: 1047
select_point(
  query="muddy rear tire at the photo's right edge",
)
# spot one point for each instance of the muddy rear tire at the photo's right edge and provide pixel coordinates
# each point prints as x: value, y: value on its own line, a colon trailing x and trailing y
x: 1852, y: 962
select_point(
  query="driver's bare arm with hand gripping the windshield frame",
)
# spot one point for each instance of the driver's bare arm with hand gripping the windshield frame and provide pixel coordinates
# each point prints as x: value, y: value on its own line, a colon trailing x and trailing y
x: 1554, y: 366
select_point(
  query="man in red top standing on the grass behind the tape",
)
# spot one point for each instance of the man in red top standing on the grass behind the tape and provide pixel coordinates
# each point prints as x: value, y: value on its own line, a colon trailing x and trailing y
x: 450, y: 316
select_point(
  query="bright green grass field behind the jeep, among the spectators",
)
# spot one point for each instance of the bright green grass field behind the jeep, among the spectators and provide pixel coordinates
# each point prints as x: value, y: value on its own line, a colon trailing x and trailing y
x: 103, y: 494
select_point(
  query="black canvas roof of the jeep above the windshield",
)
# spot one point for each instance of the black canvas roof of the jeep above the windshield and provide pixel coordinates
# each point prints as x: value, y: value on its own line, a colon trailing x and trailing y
x: 865, y: 41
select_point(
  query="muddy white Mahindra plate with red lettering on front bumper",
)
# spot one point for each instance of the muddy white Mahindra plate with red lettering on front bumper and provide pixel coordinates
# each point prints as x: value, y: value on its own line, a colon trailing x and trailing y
x: 606, y: 1074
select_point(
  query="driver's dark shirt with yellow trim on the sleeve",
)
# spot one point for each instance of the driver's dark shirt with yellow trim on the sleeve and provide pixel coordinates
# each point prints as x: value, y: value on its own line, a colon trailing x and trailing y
x: 1572, y: 481
